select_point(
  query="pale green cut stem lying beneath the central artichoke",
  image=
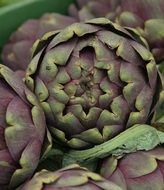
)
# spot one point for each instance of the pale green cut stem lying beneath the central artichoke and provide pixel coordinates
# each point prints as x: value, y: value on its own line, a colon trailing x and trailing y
x: 138, y: 137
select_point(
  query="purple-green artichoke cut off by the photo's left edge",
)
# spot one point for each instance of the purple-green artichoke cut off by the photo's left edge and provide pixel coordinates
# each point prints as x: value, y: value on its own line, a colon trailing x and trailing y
x: 22, y: 129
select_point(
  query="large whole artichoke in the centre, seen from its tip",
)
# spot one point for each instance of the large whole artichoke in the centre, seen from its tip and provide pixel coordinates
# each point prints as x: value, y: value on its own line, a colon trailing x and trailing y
x: 93, y: 81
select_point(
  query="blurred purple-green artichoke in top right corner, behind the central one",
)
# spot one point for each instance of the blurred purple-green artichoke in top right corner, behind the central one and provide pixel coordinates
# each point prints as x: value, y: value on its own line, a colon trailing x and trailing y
x: 146, y: 16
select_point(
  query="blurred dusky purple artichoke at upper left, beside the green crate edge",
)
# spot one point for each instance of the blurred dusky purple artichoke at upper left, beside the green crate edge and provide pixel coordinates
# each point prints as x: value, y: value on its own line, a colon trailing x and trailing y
x: 17, y: 52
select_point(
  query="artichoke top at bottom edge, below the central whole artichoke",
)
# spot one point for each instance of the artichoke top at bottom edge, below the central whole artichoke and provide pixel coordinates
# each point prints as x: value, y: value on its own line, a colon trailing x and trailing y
x: 69, y: 178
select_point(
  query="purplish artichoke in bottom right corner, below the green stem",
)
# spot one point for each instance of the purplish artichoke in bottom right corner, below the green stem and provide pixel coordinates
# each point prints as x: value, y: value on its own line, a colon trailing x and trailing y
x: 140, y: 170
